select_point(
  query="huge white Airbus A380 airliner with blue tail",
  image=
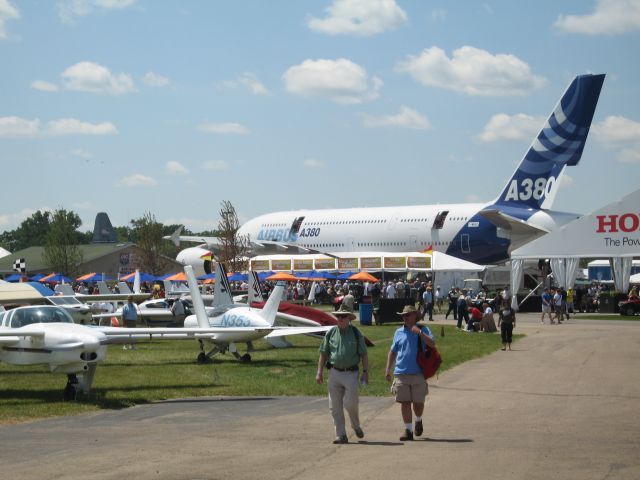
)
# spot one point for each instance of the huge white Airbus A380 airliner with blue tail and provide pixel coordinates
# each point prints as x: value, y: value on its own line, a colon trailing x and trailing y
x: 483, y: 233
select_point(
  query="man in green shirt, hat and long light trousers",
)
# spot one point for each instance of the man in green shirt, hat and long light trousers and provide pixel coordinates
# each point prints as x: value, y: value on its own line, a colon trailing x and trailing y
x: 343, y: 346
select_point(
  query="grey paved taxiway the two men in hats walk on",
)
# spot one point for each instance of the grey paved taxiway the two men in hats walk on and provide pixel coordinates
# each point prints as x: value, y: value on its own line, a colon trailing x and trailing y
x: 563, y: 405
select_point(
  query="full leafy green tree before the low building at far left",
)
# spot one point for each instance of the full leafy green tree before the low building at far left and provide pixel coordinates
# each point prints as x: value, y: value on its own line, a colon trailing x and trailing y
x: 61, y: 252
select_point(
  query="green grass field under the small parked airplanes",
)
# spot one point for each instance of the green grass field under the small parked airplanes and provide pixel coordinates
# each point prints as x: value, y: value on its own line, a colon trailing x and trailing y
x: 165, y: 370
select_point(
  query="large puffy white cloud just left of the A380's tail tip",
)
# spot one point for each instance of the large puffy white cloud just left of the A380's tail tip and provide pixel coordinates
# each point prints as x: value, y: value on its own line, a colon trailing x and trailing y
x: 472, y: 71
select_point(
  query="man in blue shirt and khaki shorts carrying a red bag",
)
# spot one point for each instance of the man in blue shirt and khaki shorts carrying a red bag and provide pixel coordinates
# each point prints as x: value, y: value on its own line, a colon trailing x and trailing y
x: 409, y: 386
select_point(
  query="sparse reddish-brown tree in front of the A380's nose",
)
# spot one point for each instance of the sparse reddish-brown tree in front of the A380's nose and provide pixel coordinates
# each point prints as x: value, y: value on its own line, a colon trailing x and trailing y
x: 234, y: 248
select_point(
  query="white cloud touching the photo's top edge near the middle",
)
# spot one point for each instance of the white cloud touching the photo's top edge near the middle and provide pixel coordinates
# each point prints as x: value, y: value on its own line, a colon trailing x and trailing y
x: 359, y: 17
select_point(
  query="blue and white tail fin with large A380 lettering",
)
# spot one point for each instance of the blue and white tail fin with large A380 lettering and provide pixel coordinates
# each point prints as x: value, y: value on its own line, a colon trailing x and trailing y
x: 559, y: 144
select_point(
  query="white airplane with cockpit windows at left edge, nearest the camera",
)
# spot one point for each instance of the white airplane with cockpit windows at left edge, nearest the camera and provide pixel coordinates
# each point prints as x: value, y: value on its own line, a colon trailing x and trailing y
x: 46, y: 334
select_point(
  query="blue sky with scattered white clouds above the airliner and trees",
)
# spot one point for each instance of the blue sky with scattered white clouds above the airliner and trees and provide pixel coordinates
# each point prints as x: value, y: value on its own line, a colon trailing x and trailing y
x: 129, y: 106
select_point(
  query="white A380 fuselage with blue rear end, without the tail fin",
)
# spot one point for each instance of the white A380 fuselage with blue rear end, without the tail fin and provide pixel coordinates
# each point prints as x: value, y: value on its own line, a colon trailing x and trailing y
x: 455, y: 229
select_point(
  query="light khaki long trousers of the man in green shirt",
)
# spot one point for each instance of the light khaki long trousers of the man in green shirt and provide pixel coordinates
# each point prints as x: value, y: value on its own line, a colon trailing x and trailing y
x: 343, y: 395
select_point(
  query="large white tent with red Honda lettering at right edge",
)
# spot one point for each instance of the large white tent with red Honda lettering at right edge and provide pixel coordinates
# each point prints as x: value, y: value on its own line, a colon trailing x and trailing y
x: 612, y: 231
